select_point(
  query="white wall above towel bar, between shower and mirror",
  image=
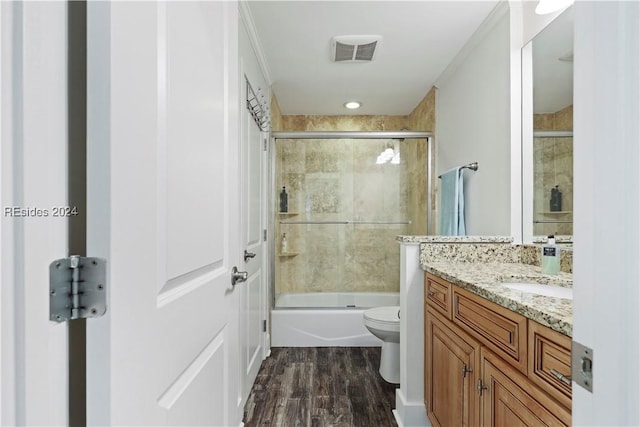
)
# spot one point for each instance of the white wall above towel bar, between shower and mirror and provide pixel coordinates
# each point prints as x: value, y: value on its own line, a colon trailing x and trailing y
x: 473, y: 124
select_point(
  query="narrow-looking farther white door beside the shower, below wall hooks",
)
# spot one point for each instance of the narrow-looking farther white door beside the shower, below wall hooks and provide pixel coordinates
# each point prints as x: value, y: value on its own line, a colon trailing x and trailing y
x: 252, y: 309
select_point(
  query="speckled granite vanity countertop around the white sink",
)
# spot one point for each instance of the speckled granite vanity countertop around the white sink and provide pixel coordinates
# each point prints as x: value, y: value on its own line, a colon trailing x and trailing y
x: 485, y: 280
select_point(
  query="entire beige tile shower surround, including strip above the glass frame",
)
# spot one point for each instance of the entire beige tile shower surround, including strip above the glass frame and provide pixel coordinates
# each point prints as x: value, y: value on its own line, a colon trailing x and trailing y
x: 336, y: 180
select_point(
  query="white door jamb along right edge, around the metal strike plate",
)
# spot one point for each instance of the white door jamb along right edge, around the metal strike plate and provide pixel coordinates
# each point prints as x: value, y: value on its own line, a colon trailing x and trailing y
x: 607, y: 209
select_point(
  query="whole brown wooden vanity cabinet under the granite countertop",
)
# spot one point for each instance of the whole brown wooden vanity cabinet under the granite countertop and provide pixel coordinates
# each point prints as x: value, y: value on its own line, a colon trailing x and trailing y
x: 486, y: 365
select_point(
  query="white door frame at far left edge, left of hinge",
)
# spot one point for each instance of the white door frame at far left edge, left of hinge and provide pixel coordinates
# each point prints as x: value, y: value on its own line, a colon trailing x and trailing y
x: 33, y: 178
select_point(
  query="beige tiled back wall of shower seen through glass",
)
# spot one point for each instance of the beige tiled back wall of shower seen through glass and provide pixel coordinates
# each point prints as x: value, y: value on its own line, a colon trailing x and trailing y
x: 334, y: 181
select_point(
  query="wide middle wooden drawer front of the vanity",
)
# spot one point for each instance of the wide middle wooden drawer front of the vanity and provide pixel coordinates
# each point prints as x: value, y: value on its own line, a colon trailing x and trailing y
x: 502, y: 330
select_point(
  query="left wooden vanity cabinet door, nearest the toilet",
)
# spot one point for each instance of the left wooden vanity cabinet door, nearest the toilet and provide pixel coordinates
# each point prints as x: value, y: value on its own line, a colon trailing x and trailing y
x: 451, y: 362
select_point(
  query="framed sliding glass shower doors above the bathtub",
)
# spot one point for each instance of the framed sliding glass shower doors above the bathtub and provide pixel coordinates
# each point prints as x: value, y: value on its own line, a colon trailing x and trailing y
x: 339, y: 201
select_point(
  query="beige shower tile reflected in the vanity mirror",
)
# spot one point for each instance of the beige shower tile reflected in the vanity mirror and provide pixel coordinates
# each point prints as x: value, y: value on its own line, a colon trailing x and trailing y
x: 553, y: 165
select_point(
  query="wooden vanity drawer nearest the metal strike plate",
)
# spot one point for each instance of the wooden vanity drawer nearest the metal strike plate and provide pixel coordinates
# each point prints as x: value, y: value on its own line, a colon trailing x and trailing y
x: 550, y: 361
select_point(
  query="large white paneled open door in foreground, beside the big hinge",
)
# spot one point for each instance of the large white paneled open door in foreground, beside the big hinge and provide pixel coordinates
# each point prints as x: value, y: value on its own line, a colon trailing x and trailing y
x: 163, y: 209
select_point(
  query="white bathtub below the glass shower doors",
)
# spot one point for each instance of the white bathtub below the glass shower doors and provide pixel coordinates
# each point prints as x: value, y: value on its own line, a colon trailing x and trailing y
x: 299, y: 320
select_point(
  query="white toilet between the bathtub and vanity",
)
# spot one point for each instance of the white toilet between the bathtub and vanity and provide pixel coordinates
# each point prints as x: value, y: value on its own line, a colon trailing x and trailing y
x: 384, y: 323
